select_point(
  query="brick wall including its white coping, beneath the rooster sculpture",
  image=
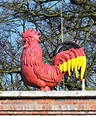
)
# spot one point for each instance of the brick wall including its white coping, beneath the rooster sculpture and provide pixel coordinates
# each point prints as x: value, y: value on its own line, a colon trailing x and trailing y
x: 45, y: 103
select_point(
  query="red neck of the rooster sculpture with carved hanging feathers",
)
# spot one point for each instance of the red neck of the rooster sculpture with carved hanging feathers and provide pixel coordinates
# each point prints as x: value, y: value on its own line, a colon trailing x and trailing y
x: 32, y: 54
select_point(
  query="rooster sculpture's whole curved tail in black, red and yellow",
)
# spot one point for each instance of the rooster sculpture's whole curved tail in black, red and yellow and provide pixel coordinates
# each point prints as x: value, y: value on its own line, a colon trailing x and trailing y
x: 69, y: 56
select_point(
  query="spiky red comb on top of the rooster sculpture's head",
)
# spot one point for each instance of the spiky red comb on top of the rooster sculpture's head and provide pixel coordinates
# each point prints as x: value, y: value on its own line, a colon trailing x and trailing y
x: 31, y: 33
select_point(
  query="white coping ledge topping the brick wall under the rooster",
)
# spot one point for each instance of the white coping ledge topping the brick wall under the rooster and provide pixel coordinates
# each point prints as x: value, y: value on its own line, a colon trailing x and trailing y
x: 48, y: 94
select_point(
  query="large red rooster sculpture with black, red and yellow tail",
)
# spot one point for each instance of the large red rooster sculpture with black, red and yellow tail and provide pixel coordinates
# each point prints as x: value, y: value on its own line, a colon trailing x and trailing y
x: 43, y: 76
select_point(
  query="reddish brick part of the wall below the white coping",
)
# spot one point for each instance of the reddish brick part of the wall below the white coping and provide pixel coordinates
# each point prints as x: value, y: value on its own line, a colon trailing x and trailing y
x: 45, y: 106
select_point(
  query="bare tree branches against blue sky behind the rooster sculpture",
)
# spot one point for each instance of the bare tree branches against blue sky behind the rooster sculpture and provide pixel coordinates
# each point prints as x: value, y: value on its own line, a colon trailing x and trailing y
x: 78, y: 23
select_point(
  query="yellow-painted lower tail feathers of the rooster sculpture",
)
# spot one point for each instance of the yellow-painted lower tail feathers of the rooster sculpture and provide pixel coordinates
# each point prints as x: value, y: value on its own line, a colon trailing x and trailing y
x: 74, y: 65
